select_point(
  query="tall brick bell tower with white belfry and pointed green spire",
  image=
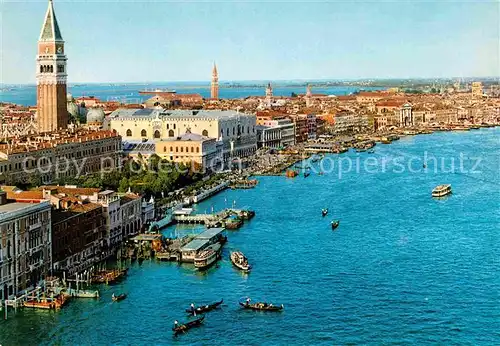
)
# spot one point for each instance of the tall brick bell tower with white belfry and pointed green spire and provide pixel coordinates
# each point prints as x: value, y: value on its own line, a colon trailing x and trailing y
x: 52, y: 114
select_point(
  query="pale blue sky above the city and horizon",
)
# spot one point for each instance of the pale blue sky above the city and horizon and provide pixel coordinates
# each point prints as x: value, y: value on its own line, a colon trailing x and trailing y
x: 158, y: 40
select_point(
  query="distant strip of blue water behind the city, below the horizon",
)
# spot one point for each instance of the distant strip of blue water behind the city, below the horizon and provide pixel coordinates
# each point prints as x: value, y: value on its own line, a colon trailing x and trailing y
x: 128, y: 93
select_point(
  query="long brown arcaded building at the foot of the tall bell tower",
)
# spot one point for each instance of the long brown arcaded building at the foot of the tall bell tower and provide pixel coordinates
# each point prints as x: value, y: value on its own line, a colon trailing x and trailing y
x: 44, y: 159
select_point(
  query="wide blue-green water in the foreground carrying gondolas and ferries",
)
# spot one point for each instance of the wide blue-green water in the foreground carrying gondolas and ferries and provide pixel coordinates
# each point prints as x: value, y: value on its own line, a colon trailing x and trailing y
x: 402, y: 268
